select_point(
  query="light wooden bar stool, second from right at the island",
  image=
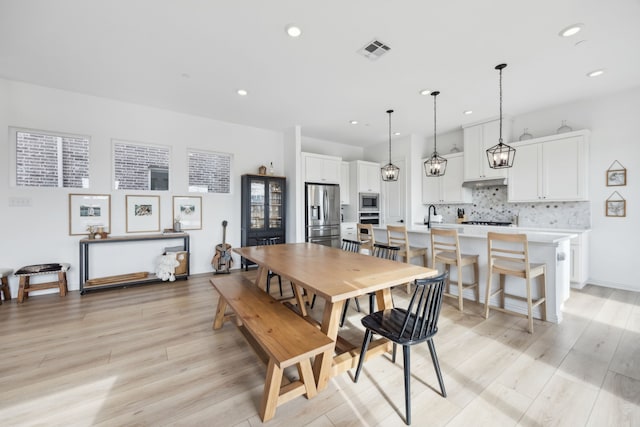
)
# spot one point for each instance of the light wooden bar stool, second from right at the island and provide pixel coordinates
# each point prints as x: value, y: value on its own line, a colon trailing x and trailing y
x: 445, y: 249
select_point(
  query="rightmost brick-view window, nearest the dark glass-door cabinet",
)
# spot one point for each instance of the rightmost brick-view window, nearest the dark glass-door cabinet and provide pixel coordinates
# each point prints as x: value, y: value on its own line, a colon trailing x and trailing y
x: 209, y: 172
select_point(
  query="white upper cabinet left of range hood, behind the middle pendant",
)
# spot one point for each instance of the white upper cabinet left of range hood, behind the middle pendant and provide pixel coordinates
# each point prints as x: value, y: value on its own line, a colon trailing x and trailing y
x: 447, y: 188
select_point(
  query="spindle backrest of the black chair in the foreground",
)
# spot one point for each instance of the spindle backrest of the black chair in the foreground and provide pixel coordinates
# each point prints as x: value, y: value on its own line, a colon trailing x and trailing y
x: 423, y: 311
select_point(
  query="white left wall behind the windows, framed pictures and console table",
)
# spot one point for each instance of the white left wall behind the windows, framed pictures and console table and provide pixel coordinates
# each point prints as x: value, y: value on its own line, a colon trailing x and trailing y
x: 39, y: 233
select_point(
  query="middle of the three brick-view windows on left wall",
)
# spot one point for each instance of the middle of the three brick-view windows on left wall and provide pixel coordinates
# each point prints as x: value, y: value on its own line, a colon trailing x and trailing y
x: 139, y: 166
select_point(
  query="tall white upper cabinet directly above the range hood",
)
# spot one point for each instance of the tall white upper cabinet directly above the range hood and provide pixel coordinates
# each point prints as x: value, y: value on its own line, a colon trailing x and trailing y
x: 477, y: 139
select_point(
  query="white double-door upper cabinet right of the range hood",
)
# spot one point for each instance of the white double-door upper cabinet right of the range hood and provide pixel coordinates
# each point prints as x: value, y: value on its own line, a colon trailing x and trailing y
x: 552, y: 168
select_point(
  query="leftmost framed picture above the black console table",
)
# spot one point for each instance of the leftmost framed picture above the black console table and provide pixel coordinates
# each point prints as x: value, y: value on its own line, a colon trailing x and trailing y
x: 89, y: 210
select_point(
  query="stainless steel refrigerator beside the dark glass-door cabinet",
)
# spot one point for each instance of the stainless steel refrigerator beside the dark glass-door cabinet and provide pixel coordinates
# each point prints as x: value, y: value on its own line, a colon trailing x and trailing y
x: 322, y: 214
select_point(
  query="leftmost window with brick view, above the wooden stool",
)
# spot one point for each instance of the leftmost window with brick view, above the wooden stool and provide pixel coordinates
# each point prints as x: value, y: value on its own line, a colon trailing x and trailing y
x: 50, y: 159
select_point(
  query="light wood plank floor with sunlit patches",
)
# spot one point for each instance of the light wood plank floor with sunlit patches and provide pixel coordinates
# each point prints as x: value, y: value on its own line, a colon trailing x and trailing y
x: 148, y: 356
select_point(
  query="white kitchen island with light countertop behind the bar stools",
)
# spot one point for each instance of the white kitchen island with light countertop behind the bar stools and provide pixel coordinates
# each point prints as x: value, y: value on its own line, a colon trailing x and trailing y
x: 550, y: 248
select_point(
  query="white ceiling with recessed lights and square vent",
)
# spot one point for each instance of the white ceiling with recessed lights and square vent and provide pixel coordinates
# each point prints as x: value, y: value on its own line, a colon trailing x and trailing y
x: 192, y: 55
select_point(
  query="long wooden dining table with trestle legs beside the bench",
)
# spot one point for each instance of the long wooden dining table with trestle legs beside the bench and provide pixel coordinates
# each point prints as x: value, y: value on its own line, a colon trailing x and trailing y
x: 335, y: 276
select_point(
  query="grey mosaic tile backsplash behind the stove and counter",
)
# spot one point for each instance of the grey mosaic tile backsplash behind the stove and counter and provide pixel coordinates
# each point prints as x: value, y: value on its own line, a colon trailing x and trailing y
x: 490, y: 204
